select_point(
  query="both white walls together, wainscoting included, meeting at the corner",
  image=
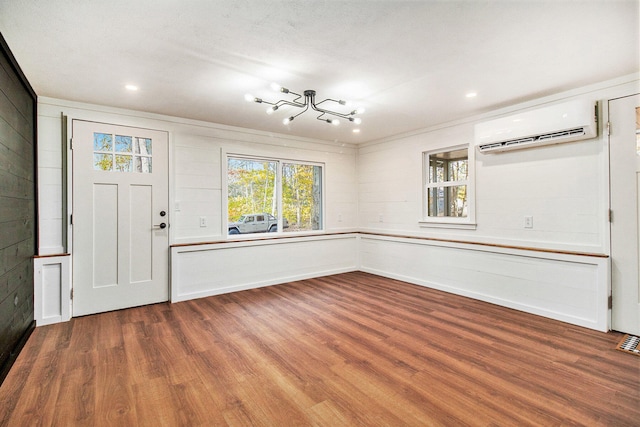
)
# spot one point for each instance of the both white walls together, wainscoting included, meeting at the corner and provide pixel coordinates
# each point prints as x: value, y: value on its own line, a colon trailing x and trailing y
x: 564, y: 188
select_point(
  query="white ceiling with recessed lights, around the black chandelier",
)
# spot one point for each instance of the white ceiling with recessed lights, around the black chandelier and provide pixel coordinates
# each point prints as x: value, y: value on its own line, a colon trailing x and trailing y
x: 409, y: 63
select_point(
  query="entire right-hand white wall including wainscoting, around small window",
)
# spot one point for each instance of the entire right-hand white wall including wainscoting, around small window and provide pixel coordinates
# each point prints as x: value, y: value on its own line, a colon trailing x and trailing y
x: 563, y: 187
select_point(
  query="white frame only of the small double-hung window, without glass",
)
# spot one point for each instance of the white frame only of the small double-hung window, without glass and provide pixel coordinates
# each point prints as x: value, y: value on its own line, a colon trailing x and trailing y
x: 468, y: 222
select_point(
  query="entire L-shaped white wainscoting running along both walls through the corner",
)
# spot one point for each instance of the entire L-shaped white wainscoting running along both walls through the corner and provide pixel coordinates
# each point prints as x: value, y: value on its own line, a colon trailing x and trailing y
x: 570, y: 287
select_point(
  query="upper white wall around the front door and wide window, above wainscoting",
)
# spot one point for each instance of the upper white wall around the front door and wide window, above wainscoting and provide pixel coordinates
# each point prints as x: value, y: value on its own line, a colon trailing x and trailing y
x: 196, y: 150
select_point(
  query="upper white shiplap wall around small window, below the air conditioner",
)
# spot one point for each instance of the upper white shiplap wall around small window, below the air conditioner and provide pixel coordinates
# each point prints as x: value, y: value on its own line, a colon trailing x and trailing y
x: 563, y: 187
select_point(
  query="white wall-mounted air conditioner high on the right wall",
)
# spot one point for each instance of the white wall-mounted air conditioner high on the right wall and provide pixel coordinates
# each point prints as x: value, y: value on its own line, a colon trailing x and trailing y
x: 570, y: 121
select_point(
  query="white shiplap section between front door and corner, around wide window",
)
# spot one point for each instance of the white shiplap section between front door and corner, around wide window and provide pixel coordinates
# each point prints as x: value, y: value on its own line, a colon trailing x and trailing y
x: 199, y: 183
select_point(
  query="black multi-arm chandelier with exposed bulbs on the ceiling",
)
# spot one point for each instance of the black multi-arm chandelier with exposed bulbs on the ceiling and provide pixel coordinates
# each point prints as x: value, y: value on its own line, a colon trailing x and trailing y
x: 309, y: 101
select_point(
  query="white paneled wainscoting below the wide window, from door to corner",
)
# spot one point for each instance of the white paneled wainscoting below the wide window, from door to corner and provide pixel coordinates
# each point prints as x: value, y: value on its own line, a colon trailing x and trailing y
x: 201, y: 270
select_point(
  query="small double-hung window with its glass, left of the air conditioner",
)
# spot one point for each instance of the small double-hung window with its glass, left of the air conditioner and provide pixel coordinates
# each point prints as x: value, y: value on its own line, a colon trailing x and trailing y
x: 448, y: 187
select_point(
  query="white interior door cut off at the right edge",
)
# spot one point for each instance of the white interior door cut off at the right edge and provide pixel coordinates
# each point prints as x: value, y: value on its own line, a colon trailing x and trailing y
x: 624, y: 143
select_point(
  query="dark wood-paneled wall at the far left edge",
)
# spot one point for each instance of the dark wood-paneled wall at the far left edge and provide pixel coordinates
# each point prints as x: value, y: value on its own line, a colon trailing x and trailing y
x: 18, y: 236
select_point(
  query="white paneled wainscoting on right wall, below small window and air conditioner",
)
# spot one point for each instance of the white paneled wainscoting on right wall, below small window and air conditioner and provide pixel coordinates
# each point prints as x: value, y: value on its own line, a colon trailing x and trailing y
x: 570, y: 287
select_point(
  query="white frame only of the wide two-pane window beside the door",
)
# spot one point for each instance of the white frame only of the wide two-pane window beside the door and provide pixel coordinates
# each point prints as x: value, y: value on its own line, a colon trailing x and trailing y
x: 279, y: 161
